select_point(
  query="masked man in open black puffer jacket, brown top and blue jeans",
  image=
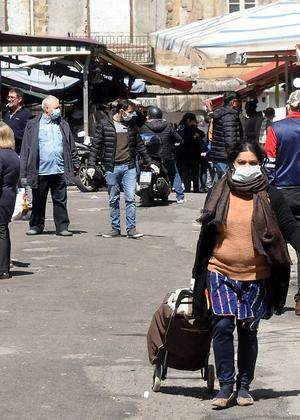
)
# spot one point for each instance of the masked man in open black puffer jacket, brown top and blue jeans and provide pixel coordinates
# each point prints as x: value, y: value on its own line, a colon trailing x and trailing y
x: 116, y: 143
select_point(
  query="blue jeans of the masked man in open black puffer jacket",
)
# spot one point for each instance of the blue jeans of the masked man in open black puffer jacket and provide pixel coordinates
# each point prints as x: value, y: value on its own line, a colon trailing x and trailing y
x: 122, y: 178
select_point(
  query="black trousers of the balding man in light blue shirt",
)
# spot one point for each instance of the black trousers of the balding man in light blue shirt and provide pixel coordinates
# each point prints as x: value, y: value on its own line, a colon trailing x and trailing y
x: 58, y: 188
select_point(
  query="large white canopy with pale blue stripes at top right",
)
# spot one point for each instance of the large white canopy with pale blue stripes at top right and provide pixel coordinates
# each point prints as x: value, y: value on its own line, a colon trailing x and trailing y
x: 275, y: 26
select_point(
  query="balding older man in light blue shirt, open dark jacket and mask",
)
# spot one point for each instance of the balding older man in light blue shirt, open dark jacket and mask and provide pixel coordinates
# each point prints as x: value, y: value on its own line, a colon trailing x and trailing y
x: 49, y: 160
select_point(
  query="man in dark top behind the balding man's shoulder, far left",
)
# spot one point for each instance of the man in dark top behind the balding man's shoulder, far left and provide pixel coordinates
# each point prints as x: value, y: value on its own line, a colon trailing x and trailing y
x: 17, y: 116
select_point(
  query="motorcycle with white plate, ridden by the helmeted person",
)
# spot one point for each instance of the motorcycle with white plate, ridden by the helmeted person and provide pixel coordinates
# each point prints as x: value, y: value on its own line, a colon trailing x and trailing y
x: 152, y: 187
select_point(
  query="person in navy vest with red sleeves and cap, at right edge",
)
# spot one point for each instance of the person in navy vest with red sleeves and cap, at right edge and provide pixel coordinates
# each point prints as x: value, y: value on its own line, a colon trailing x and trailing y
x: 283, y: 168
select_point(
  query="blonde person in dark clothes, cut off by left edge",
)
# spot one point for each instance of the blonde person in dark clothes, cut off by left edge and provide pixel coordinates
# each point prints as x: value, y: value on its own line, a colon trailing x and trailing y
x: 9, y: 172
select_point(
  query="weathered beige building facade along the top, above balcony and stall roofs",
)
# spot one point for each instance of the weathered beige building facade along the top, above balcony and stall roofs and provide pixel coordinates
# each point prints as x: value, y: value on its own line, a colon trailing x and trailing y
x: 129, y: 17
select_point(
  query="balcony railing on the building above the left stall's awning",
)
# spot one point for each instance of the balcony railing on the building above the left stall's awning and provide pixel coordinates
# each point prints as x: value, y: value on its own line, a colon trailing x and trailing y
x: 135, y: 48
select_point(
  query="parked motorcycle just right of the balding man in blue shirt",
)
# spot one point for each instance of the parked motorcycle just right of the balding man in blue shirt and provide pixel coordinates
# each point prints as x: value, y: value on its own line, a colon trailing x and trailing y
x: 83, y: 182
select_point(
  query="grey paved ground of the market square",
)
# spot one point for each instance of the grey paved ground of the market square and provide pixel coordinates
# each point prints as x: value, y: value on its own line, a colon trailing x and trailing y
x: 74, y: 324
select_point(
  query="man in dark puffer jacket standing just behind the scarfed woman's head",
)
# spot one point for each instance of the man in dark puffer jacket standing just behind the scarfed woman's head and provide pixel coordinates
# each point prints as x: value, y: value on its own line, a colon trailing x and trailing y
x: 227, y: 130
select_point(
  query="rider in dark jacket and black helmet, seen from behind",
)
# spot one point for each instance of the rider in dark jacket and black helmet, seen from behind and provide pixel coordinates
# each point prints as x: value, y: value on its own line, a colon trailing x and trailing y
x: 169, y: 139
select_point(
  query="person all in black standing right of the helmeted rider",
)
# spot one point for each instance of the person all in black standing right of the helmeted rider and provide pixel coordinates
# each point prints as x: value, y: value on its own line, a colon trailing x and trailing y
x: 189, y: 152
